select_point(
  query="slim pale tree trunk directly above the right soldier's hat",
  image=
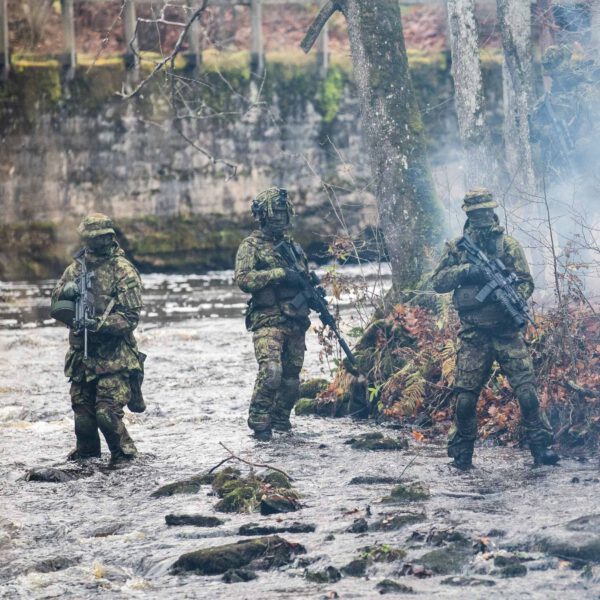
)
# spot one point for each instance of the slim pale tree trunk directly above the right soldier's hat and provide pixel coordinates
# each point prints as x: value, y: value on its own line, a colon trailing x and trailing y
x: 480, y: 166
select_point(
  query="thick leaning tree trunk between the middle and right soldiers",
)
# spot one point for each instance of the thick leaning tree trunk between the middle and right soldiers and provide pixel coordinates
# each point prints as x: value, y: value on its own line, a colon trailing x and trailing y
x: 409, y: 212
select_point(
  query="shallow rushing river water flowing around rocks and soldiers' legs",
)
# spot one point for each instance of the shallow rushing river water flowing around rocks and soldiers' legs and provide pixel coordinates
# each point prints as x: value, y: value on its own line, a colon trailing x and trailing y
x: 105, y: 534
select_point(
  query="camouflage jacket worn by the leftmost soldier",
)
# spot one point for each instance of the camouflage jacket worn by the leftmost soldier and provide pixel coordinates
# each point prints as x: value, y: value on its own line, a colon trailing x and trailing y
x: 112, y: 348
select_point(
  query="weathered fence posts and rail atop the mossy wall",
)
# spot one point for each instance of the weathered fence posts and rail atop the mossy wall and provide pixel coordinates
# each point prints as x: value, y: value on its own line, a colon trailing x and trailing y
x: 69, y: 55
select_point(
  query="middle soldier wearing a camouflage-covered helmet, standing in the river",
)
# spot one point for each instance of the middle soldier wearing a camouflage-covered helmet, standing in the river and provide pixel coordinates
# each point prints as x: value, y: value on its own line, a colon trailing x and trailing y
x: 278, y: 326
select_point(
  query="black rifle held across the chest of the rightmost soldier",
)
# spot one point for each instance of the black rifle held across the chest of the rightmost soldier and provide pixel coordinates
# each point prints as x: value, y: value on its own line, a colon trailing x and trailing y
x: 500, y: 283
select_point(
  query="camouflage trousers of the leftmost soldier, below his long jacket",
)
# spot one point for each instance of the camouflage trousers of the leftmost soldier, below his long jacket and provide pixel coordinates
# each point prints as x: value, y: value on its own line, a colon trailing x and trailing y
x: 98, y: 404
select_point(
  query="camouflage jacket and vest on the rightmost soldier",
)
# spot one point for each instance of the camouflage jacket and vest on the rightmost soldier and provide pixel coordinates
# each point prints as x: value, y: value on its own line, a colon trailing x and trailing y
x: 454, y: 263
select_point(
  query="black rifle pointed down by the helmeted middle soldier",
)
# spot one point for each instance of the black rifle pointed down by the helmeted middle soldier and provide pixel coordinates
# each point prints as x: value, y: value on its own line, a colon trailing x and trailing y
x: 313, y: 294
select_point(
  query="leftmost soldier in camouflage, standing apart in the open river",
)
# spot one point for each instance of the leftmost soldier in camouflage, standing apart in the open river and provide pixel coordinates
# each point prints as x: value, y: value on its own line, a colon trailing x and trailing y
x: 101, y: 385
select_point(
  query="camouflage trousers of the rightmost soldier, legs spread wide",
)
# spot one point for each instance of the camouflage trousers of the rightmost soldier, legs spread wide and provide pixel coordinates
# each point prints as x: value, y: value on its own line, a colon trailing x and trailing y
x: 477, y: 351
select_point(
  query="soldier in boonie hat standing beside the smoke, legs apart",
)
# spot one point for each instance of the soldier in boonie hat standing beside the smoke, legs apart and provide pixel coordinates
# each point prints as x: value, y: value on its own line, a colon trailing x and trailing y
x: 488, y: 334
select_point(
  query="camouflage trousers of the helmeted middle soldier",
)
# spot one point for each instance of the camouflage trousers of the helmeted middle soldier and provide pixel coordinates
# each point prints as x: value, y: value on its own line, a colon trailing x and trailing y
x: 279, y: 352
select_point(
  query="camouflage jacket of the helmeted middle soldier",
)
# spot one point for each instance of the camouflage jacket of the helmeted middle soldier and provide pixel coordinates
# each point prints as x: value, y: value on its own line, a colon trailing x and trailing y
x: 260, y: 271
